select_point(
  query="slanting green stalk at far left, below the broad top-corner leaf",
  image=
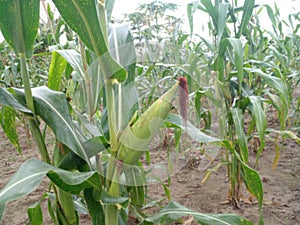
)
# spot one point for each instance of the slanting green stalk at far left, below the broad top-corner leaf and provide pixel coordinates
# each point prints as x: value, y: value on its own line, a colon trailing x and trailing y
x: 30, y: 104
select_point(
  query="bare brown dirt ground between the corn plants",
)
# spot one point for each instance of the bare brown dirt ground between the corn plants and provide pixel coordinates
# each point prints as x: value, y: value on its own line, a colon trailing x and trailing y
x: 281, y: 186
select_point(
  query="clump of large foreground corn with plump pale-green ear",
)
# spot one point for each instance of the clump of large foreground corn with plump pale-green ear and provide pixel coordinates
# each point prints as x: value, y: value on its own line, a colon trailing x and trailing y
x: 97, y: 152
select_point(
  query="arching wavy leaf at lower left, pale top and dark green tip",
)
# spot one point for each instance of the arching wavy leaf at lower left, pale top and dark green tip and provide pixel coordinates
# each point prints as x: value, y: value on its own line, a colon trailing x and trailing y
x: 32, y: 172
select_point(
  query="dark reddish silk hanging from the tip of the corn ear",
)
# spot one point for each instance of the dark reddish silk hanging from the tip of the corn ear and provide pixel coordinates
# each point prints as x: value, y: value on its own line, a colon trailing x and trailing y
x: 183, y: 95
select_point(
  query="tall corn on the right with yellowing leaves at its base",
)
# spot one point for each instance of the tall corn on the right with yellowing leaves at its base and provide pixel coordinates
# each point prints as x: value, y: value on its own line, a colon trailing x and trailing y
x: 244, y: 83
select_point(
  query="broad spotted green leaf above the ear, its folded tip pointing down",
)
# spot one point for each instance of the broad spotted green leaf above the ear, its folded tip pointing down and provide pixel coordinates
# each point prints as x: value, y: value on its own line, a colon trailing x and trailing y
x: 90, y: 25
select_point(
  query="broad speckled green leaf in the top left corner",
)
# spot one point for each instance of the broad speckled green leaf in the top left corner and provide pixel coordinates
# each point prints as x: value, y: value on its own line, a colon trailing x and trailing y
x: 19, y: 23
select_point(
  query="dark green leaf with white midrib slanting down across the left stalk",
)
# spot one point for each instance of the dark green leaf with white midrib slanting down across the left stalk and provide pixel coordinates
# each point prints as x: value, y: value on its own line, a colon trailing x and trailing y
x: 52, y: 106
